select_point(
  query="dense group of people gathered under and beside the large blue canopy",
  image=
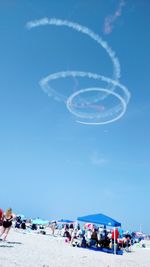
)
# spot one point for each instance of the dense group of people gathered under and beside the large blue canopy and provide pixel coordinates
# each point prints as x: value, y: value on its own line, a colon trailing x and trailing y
x: 92, y: 236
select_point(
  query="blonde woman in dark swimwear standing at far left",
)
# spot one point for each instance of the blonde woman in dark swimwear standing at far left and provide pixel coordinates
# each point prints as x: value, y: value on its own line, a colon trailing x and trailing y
x: 7, y: 219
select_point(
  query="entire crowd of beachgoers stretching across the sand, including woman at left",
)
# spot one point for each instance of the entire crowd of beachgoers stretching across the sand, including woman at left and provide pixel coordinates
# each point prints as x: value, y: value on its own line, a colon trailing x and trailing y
x: 87, y: 235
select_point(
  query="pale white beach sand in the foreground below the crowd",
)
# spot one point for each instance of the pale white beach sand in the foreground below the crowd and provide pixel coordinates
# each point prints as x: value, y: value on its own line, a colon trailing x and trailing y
x: 37, y: 250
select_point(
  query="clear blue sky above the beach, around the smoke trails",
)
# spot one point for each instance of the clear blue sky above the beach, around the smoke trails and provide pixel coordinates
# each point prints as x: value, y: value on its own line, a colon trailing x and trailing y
x: 50, y: 165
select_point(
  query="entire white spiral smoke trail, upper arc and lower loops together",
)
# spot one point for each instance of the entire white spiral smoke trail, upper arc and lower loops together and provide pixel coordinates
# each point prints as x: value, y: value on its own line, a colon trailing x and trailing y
x: 122, y: 95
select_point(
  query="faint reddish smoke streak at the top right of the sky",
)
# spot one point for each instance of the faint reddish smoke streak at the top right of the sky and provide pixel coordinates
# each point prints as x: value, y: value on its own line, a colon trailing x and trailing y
x: 109, y: 20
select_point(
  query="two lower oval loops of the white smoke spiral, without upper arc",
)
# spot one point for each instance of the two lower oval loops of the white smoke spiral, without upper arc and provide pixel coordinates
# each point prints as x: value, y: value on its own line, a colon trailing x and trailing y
x: 117, y: 112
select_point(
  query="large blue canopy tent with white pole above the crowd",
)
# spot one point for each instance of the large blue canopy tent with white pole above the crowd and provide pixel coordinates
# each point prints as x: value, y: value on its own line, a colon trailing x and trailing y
x: 100, y: 219
